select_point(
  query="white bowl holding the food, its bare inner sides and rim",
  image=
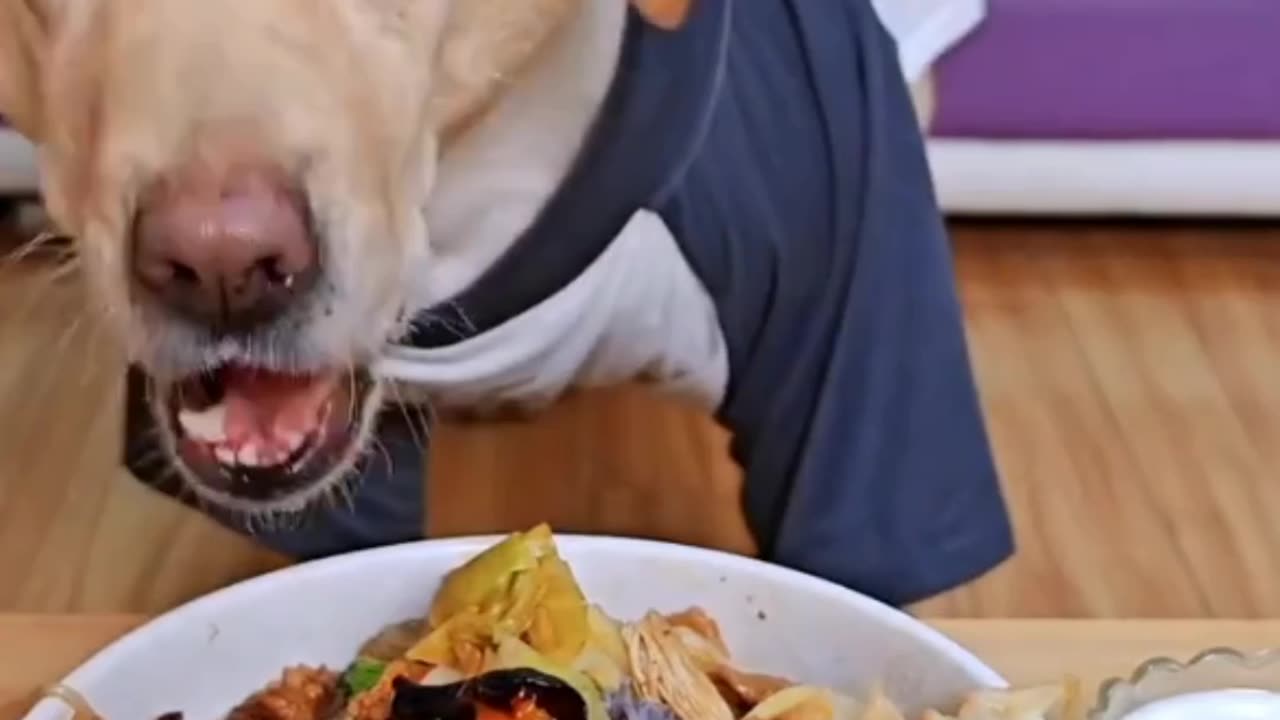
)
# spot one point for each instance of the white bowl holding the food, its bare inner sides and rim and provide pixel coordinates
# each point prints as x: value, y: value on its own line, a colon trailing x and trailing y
x: 207, y: 657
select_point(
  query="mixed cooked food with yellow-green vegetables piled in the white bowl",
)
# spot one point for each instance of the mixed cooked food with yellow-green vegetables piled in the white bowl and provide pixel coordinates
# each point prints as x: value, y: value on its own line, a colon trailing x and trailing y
x: 511, y: 636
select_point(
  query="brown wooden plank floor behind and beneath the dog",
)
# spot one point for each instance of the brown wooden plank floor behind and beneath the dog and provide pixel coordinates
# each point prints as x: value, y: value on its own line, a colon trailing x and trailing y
x: 1132, y: 377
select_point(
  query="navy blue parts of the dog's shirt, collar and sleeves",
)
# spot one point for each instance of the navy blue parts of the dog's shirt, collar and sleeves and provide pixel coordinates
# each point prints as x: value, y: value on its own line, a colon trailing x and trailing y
x: 779, y: 143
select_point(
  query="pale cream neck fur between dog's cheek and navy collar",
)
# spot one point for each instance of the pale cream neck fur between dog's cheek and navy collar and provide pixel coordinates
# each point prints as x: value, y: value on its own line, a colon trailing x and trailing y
x: 495, y: 177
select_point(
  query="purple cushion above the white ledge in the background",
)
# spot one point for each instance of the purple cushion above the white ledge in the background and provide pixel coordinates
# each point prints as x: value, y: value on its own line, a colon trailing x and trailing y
x: 1116, y: 70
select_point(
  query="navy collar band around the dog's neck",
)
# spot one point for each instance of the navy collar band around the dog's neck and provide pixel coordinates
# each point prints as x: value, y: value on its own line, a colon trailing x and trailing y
x: 650, y: 125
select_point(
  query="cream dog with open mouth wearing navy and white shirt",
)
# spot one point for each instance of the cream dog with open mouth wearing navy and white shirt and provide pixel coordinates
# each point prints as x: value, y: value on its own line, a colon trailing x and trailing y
x: 295, y: 213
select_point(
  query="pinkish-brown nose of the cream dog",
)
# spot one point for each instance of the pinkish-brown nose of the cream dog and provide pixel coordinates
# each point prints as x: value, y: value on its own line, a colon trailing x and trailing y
x: 230, y: 254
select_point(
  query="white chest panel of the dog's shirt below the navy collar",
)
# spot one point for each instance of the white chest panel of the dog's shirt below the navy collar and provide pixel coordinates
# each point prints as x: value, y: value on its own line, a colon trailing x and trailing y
x: 638, y: 313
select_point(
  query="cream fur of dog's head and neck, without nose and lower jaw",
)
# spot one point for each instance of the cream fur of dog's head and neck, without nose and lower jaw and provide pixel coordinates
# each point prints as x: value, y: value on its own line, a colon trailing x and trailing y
x: 426, y: 136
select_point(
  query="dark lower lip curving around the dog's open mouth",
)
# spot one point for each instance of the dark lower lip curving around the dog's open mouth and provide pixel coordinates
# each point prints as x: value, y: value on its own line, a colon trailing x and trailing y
x: 314, y: 461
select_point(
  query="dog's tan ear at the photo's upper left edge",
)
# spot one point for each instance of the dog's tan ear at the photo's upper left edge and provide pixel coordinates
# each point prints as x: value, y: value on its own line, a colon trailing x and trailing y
x: 21, y: 58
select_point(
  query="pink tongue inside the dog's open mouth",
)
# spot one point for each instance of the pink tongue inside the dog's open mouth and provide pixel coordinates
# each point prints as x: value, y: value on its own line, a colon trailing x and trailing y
x: 266, y: 407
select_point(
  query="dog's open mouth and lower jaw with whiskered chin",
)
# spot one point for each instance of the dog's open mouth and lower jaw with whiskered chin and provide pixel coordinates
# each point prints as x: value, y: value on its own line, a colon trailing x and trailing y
x: 257, y: 441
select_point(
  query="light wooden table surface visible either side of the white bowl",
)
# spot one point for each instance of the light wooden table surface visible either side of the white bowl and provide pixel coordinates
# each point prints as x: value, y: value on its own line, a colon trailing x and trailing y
x: 36, y: 650
